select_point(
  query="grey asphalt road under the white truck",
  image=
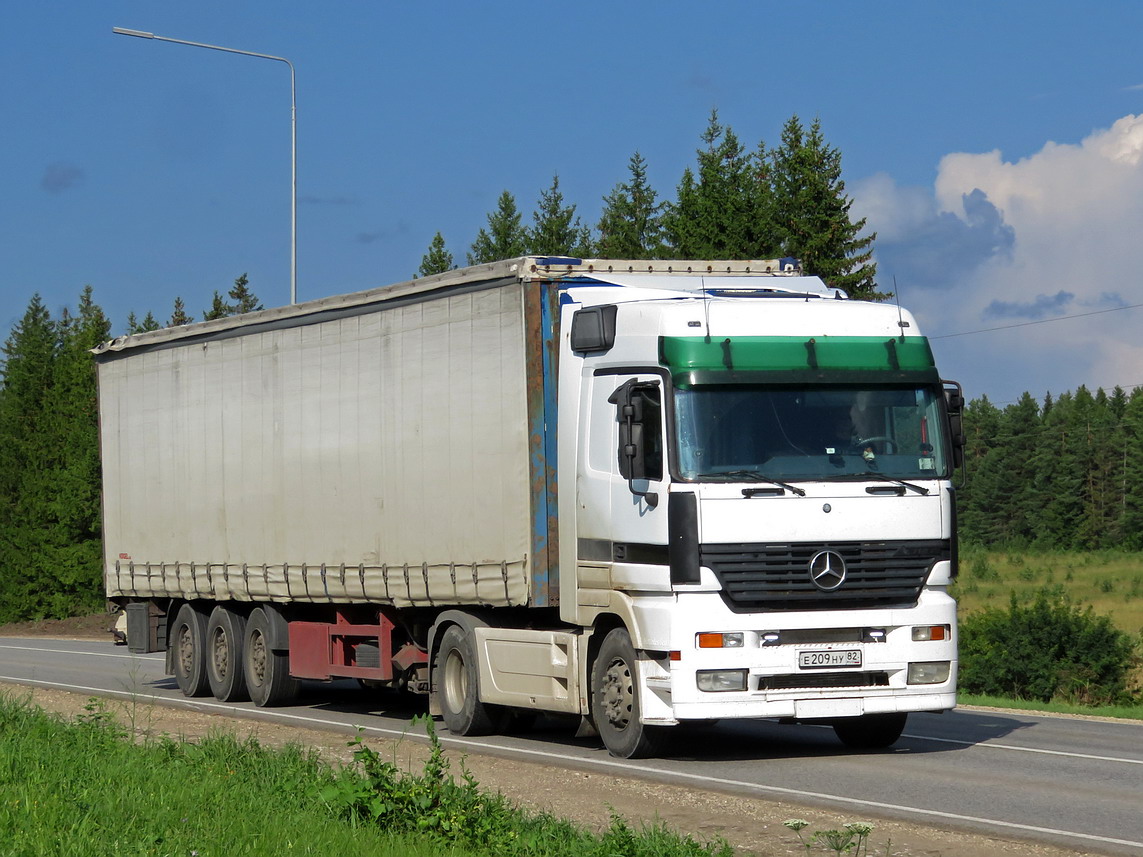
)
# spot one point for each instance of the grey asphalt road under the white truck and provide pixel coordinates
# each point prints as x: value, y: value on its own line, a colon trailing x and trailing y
x: 1073, y: 783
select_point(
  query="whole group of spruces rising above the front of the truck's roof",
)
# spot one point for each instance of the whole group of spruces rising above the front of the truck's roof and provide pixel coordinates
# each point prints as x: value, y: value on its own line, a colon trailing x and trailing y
x: 733, y: 204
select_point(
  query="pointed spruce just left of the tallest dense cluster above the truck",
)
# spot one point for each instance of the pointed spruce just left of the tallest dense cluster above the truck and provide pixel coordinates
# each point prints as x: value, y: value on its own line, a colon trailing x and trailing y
x: 630, y: 227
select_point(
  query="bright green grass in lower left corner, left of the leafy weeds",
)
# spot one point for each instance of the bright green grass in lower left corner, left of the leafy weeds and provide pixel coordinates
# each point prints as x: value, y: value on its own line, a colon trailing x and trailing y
x: 82, y: 788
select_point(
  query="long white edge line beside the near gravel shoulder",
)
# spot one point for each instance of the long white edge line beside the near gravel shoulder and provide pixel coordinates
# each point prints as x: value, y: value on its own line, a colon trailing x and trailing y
x: 618, y: 766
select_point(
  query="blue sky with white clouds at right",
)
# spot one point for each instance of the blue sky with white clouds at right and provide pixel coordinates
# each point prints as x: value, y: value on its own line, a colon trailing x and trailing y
x: 995, y: 148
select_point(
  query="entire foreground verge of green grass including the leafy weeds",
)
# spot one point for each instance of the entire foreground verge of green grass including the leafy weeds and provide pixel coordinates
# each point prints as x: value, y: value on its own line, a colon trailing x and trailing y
x: 84, y: 787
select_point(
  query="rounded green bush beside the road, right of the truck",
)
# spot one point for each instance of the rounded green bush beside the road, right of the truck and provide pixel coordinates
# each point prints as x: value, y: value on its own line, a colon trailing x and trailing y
x: 1048, y: 650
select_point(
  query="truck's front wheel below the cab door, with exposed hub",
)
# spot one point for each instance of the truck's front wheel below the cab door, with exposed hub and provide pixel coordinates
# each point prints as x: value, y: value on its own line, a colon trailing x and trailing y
x: 616, y: 701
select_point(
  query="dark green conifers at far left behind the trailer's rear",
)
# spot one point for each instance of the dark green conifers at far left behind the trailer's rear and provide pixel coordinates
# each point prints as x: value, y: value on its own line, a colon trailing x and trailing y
x: 51, y: 516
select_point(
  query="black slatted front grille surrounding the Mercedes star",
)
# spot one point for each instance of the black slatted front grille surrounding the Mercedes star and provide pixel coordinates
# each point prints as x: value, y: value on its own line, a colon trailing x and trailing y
x: 777, y: 576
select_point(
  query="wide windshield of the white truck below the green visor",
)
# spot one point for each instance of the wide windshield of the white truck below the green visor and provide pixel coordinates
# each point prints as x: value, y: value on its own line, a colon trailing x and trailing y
x: 741, y: 434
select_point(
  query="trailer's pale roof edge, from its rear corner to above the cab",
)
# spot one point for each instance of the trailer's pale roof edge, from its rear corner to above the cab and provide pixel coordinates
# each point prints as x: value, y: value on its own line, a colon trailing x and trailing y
x: 677, y: 275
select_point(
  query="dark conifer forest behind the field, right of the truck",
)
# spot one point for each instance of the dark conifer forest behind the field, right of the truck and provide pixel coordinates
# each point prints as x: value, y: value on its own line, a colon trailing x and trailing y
x: 1061, y: 475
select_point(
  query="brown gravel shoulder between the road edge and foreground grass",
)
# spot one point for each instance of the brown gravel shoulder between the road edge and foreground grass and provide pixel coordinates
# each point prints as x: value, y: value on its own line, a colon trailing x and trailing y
x: 754, y: 827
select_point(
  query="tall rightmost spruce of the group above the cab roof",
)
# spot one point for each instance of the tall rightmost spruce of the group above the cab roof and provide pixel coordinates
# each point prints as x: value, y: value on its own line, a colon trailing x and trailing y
x: 812, y: 213
